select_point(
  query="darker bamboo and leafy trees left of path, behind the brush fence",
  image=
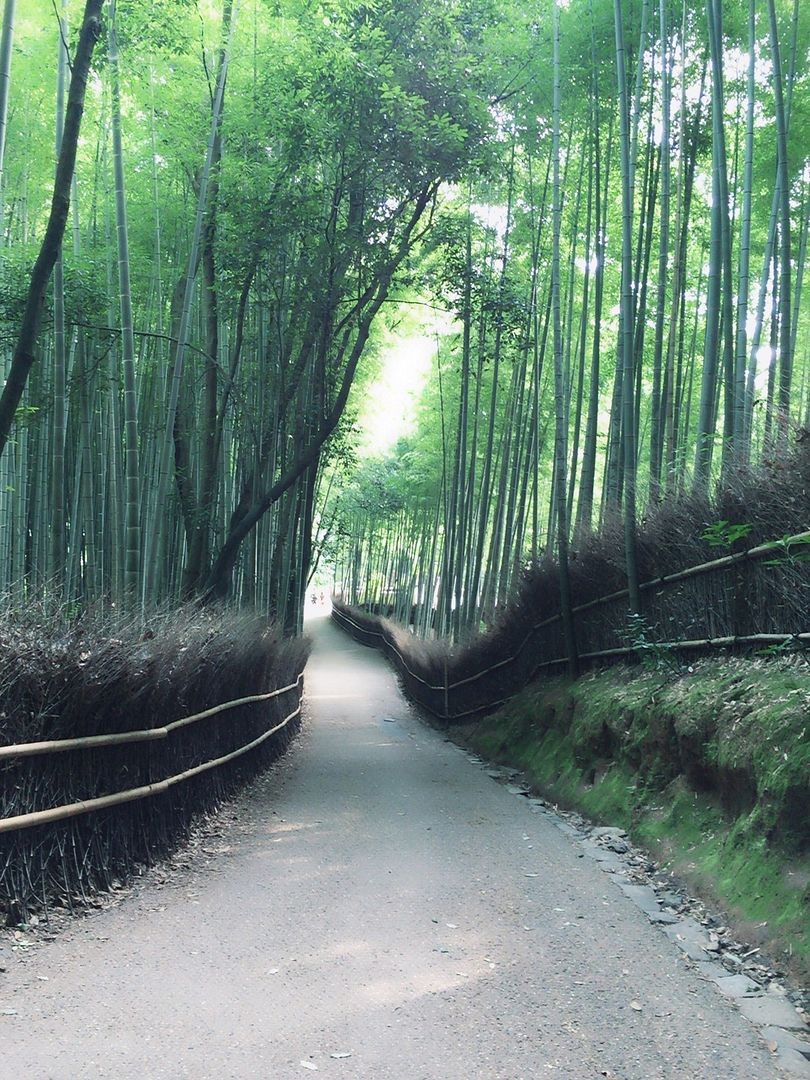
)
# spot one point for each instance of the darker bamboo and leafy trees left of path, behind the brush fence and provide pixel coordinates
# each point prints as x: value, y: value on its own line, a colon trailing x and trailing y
x: 245, y: 183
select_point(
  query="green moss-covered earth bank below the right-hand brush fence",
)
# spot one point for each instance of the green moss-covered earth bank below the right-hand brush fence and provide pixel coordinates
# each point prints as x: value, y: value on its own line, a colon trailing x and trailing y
x: 709, y: 769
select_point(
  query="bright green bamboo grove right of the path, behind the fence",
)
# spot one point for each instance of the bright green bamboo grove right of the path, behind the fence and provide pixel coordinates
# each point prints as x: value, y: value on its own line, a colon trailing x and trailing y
x: 629, y: 321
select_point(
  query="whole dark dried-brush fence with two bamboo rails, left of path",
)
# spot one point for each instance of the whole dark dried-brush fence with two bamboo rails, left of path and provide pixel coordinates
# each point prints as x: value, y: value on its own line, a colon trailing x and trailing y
x: 113, y: 740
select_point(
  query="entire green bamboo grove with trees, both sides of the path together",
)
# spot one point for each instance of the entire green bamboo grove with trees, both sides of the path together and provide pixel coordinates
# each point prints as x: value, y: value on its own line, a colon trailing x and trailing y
x: 217, y: 214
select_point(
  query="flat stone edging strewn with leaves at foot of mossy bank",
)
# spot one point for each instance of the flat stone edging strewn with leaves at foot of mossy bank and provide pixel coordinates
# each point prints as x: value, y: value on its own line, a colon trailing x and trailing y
x: 781, y: 1017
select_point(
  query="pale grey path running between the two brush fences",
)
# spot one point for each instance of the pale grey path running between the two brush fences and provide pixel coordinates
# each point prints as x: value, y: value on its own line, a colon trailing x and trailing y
x: 384, y: 911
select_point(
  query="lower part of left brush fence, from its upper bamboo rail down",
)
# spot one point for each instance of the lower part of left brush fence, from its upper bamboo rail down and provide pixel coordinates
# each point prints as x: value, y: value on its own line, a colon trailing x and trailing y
x: 80, y: 814
